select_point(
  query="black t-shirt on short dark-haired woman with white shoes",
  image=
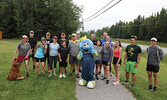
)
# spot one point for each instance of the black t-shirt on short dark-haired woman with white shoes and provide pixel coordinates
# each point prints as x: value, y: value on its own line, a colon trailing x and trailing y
x: 64, y: 51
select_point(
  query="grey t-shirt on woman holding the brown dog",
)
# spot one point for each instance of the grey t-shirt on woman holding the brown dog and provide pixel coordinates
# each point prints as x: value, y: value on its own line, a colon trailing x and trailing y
x: 23, y: 49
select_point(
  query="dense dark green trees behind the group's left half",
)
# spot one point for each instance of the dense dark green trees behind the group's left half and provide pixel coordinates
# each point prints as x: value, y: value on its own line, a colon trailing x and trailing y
x: 18, y: 17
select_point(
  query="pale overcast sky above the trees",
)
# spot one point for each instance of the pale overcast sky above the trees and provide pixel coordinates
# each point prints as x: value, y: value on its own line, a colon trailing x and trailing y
x: 126, y: 10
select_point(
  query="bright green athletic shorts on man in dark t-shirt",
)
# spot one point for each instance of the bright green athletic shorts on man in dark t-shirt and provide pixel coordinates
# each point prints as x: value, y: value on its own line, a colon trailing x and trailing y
x: 130, y: 67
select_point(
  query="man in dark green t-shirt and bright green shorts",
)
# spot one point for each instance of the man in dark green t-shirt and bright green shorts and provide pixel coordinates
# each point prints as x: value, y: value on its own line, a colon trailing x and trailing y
x: 132, y: 54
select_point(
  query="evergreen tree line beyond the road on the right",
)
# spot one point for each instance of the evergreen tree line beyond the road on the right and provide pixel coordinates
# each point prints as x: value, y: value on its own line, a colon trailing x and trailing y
x: 144, y: 28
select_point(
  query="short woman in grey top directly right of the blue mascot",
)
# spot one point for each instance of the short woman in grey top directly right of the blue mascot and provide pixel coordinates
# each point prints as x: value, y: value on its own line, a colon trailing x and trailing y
x: 98, y: 48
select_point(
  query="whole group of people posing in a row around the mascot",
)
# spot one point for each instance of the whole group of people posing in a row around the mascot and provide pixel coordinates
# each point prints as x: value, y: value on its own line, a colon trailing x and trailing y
x: 63, y: 50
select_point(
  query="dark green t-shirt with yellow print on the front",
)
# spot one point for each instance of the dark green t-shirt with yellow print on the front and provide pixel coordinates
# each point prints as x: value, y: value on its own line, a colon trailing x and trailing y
x: 132, y: 52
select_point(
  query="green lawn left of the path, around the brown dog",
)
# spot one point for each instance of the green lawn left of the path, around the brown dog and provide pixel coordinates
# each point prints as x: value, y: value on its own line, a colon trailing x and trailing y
x: 32, y: 88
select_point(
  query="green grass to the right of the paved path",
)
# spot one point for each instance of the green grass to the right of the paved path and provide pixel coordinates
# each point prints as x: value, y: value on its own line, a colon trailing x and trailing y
x: 141, y: 84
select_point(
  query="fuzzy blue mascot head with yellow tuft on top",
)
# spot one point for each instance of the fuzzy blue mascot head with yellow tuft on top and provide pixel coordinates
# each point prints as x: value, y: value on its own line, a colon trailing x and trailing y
x: 86, y: 45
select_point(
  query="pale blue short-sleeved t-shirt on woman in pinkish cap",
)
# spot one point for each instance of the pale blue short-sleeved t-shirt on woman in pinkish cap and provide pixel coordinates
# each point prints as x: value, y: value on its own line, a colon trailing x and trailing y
x: 54, y: 49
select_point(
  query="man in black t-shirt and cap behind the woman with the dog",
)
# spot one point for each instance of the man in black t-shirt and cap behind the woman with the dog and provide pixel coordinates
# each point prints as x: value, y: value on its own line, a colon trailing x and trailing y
x: 33, y: 43
